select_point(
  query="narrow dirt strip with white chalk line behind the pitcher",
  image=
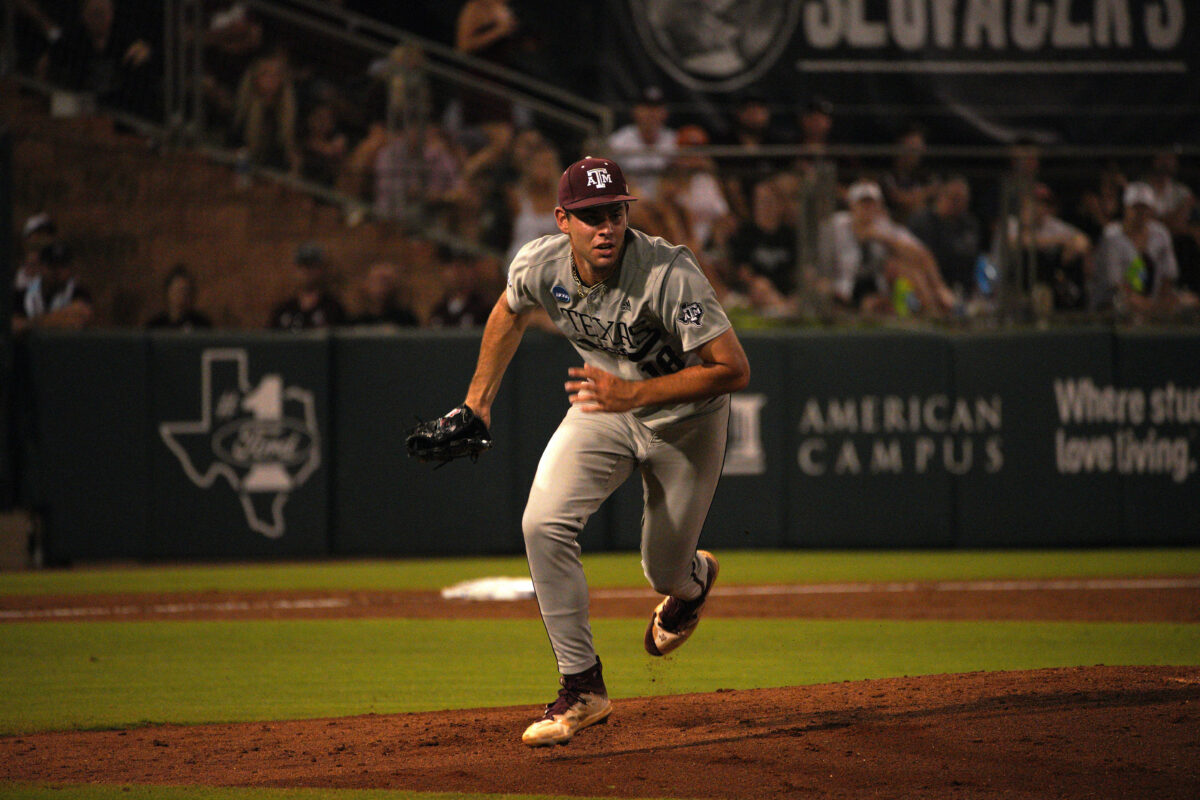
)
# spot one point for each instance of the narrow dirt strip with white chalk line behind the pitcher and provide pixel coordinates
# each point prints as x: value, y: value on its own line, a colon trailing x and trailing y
x: 1131, y: 600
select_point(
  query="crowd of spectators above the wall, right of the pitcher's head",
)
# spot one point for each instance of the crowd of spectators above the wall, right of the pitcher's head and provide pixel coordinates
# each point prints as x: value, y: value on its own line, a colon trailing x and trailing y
x: 788, y: 237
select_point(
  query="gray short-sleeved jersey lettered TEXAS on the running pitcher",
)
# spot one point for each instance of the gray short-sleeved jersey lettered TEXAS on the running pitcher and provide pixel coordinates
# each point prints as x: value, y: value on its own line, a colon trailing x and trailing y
x: 658, y: 311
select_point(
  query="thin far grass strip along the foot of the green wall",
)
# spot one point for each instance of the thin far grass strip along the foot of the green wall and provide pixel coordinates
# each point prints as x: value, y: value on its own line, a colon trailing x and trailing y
x: 616, y: 570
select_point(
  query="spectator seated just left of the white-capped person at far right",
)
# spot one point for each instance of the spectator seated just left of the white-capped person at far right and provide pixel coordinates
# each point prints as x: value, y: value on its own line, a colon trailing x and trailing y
x: 1054, y: 252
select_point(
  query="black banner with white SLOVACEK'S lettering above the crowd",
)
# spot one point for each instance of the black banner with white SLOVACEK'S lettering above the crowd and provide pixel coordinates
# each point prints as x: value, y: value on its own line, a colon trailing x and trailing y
x: 1100, y: 73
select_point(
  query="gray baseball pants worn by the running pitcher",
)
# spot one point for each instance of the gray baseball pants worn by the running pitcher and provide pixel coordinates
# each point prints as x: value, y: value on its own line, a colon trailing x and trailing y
x: 589, y: 458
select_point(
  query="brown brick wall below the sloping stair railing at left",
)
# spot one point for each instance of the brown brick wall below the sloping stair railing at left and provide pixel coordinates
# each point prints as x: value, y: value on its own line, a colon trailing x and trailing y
x: 133, y: 212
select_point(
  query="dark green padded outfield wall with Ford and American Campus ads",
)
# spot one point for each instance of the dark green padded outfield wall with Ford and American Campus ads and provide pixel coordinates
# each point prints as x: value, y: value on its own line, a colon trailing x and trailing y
x: 262, y: 446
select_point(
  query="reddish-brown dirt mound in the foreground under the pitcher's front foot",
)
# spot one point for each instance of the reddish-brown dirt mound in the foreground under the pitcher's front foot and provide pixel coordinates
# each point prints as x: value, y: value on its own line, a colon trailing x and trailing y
x: 1102, y: 732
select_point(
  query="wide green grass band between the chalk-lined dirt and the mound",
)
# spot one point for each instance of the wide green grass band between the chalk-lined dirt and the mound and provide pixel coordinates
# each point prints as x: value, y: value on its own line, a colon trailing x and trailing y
x: 117, y: 675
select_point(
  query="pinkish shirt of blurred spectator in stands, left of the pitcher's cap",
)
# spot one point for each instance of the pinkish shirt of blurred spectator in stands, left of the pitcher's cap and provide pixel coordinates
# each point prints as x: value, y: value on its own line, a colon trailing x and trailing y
x: 416, y: 175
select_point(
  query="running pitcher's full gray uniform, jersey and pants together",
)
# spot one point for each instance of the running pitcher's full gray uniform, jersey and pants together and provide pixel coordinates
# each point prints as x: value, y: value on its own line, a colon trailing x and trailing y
x: 646, y: 321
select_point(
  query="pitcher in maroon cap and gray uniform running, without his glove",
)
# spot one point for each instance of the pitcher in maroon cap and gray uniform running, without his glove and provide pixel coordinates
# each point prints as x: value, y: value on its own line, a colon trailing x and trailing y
x: 661, y: 360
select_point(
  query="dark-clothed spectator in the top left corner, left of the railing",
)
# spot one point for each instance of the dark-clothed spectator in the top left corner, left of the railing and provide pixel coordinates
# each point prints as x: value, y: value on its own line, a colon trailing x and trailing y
x: 107, y: 55
